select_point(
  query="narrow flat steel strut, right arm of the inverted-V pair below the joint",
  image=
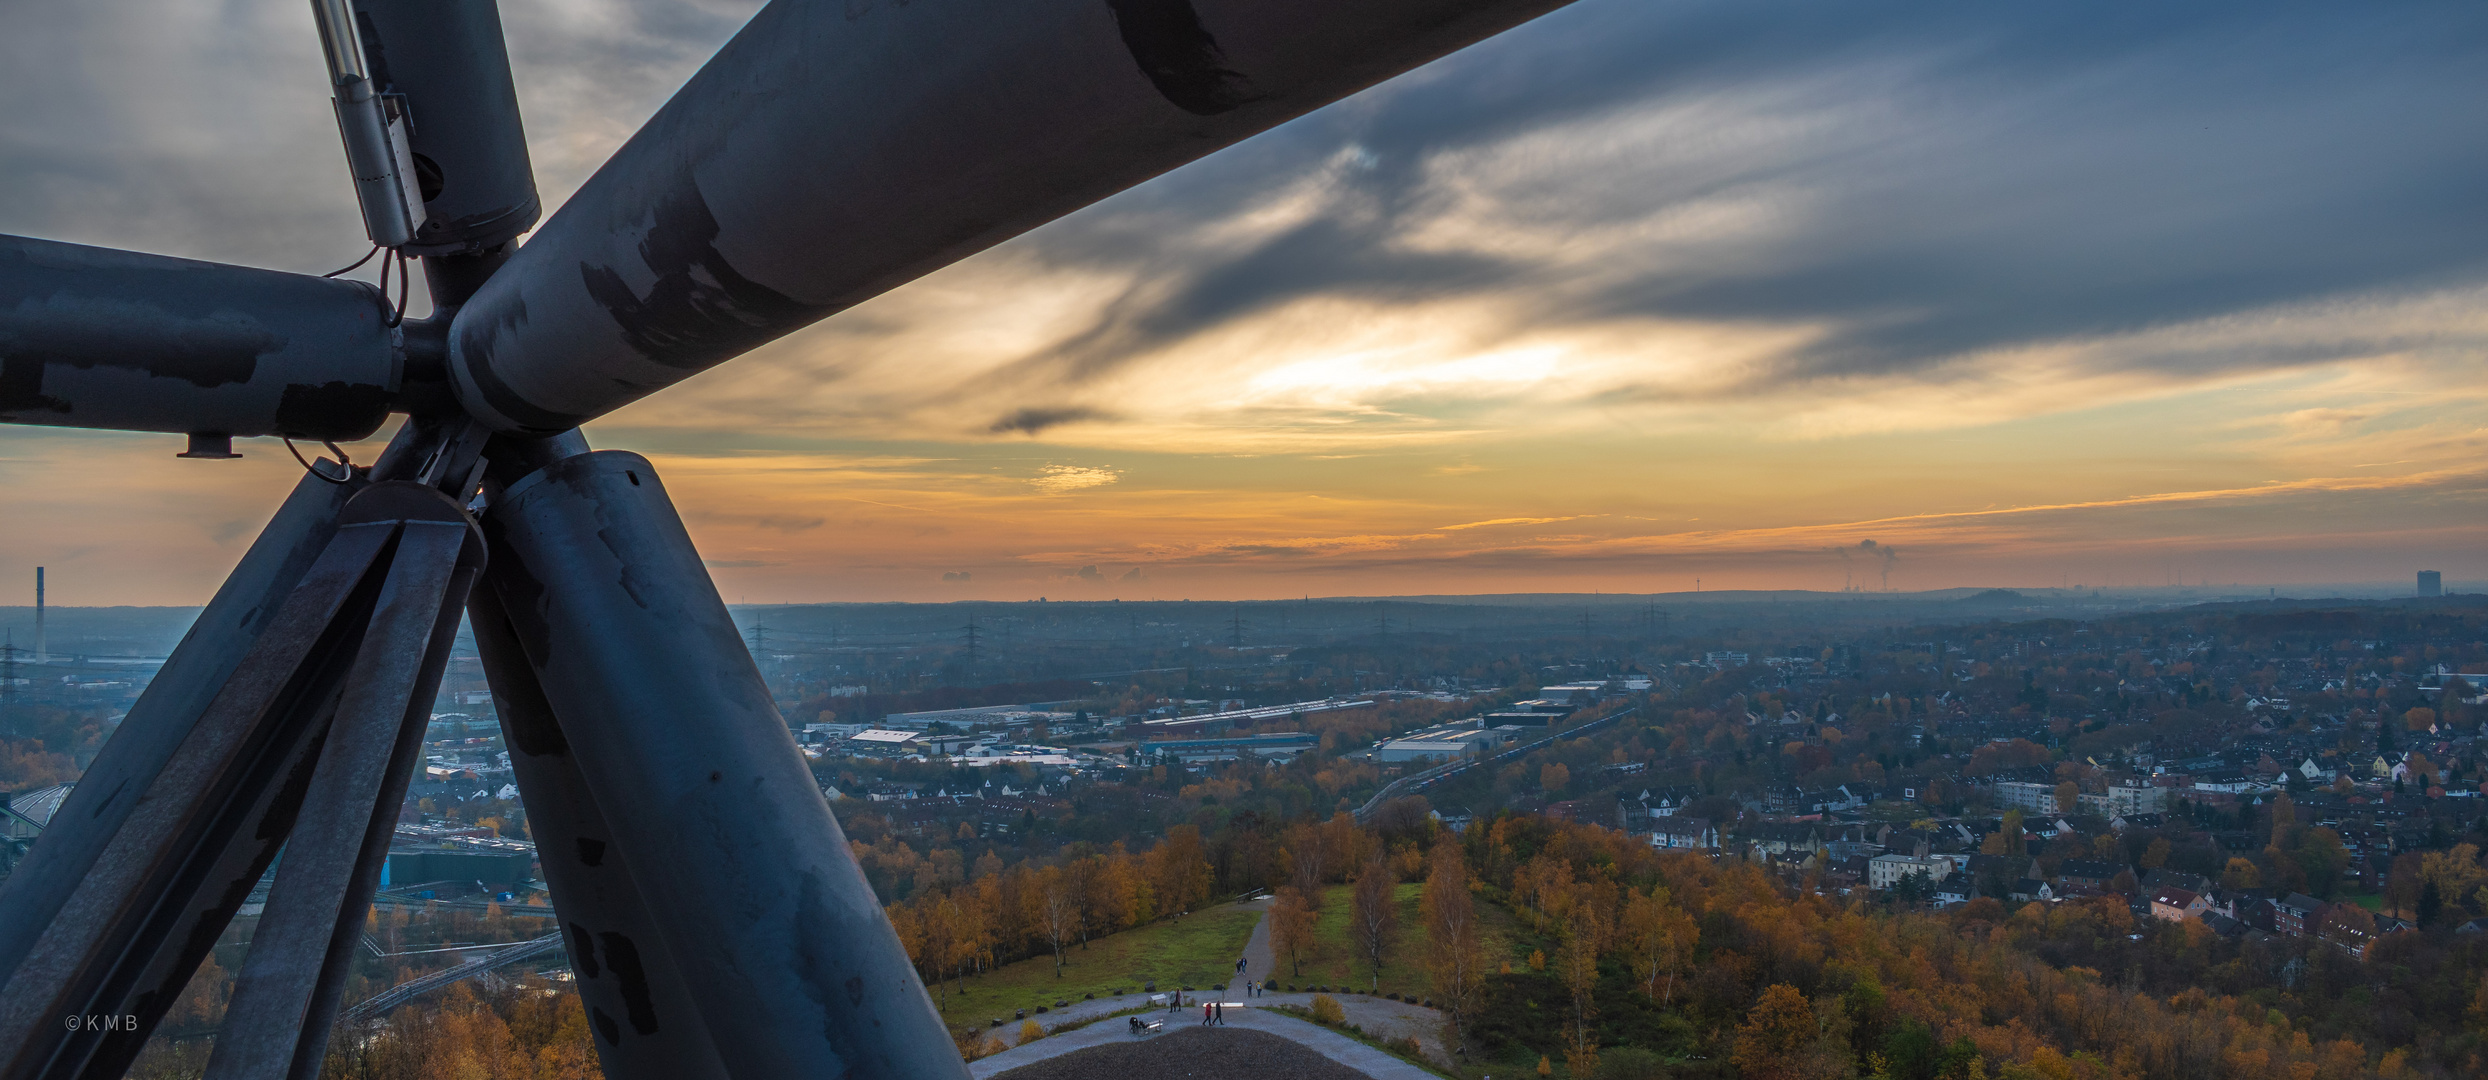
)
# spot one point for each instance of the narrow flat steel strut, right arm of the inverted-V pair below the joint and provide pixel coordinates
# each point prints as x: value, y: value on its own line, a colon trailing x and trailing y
x: 287, y: 989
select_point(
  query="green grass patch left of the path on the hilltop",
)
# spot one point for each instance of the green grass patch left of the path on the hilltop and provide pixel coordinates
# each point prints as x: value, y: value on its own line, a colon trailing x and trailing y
x: 1193, y: 952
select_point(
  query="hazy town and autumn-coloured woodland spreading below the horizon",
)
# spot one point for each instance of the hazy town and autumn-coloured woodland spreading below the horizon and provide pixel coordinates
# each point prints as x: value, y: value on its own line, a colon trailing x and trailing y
x: 2216, y: 822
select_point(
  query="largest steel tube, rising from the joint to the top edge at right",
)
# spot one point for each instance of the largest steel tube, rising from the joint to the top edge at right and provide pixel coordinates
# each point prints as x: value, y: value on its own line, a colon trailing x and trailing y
x: 840, y: 148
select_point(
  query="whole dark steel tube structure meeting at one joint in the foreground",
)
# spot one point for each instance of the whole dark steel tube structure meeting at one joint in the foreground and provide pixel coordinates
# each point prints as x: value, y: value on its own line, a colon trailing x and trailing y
x: 708, y: 900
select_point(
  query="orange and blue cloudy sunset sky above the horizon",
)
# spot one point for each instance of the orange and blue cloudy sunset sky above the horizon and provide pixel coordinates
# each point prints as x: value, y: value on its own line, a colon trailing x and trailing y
x: 1636, y: 295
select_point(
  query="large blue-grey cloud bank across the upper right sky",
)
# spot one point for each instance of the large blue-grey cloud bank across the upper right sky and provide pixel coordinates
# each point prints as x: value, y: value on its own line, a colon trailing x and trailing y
x: 1997, y: 175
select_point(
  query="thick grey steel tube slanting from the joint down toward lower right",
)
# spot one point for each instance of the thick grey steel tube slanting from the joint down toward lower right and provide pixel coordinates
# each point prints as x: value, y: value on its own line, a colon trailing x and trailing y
x: 745, y: 875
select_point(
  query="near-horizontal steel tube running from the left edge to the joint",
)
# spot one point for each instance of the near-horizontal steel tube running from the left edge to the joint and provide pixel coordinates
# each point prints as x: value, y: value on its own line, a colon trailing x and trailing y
x: 138, y: 342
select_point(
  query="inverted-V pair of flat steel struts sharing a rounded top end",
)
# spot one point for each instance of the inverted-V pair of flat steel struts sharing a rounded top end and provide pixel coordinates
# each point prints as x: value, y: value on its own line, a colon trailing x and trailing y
x: 312, y: 738
